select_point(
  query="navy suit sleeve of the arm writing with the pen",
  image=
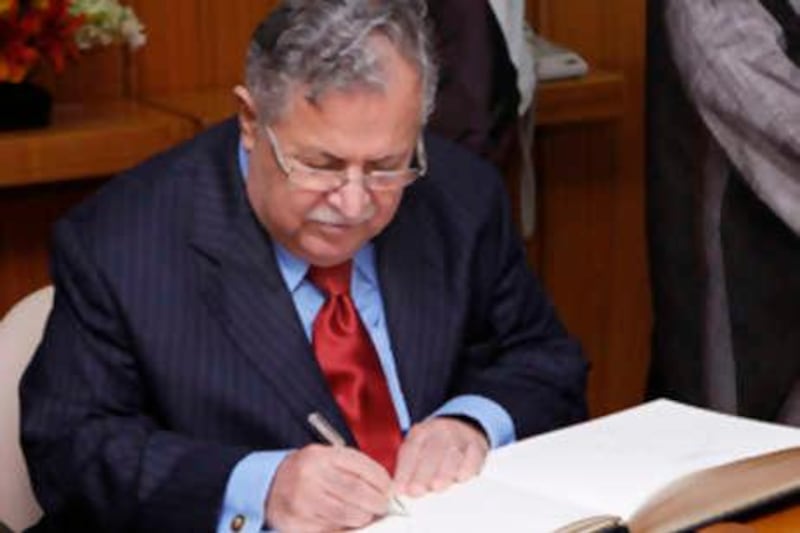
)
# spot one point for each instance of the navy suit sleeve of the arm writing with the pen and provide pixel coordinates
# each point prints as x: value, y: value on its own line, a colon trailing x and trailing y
x: 95, y: 450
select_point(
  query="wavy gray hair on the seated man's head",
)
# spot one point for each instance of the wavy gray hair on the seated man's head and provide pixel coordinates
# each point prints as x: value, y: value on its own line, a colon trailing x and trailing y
x: 326, y: 45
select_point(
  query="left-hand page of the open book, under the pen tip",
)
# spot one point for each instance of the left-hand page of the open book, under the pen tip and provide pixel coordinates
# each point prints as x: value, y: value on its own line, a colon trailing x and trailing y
x: 481, y: 505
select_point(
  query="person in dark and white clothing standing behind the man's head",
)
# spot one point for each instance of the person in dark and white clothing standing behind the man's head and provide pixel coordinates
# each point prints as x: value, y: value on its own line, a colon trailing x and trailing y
x: 486, y: 88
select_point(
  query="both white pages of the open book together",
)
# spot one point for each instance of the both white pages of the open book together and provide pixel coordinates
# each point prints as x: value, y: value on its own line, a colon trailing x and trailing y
x: 606, y: 466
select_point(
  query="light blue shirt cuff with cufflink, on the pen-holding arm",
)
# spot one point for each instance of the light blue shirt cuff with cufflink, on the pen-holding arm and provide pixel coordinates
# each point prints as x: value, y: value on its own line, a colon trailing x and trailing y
x: 247, y: 490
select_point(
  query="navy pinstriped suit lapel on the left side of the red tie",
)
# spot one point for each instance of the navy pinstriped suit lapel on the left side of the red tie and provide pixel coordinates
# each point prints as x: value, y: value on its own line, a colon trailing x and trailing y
x: 243, y: 288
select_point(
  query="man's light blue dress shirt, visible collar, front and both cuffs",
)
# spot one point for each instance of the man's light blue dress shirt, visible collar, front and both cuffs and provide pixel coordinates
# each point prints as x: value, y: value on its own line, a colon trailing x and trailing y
x: 250, y: 481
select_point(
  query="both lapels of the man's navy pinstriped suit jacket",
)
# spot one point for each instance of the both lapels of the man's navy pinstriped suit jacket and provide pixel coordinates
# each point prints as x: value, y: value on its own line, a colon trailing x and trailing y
x: 243, y: 288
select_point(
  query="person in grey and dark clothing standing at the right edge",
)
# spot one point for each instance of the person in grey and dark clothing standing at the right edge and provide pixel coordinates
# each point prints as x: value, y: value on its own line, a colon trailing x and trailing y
x: 723, y: 204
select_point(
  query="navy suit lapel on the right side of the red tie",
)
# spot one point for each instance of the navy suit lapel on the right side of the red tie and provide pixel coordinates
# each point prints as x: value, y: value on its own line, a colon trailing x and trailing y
x: 414, y: 289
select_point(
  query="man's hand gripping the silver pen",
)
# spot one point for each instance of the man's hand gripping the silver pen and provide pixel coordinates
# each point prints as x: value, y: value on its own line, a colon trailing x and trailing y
x: 324, y: 488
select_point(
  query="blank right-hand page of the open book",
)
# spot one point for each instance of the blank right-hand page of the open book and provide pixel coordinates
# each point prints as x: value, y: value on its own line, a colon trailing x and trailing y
x: 615, y: 463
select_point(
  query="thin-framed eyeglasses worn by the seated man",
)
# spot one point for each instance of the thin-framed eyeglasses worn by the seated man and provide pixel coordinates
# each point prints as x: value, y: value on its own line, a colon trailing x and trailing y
x: 327, y: 180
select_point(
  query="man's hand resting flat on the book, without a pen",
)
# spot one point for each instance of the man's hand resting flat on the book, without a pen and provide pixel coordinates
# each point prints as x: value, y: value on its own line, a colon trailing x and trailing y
x: 437, y: 453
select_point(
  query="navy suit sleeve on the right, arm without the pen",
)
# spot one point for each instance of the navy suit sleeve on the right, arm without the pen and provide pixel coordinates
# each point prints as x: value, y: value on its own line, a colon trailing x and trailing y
x: 522, y: 358
